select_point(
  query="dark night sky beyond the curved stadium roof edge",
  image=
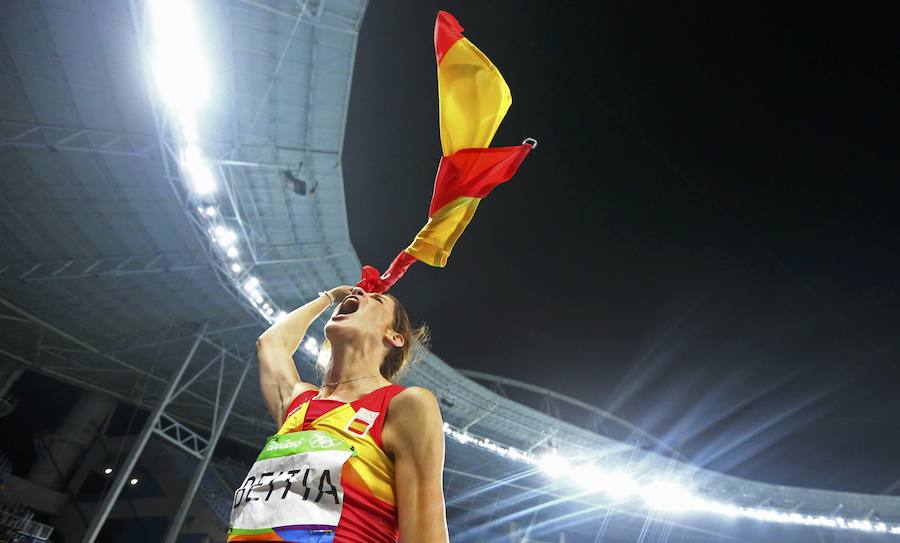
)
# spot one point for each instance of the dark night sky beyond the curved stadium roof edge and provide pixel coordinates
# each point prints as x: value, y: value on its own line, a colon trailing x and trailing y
x: 704, y: 241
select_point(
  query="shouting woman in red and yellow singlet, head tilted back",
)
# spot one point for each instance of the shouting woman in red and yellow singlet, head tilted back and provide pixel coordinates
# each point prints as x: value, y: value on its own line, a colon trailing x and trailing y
x: 358, y: 460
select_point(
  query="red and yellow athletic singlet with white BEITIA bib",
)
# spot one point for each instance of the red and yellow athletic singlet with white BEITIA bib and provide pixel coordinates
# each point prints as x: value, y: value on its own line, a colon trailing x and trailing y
x: 323, y: 478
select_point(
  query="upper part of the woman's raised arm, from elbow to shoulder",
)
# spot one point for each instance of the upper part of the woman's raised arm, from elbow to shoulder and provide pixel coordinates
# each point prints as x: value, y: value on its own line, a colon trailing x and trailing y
x: 279, y: 381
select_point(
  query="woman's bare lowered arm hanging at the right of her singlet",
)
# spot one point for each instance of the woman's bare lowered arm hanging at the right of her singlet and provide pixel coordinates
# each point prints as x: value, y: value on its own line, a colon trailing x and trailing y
x: 414, y: 434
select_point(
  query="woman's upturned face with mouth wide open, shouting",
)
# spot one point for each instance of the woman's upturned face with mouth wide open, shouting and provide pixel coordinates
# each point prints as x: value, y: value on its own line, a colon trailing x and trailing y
x: 361, y: 315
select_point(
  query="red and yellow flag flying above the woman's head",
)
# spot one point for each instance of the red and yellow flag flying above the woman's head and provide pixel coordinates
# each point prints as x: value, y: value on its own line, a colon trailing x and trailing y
x: 473, y: 99
